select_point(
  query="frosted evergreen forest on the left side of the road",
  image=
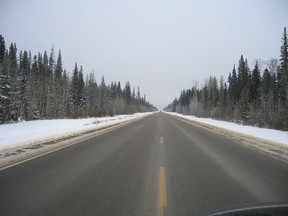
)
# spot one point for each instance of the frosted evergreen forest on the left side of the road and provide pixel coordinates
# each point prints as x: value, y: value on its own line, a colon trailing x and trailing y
x: 39, y: 88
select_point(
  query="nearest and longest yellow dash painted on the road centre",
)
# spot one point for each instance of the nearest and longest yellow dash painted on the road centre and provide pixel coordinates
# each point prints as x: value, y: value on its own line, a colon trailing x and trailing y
x: 162, y: 200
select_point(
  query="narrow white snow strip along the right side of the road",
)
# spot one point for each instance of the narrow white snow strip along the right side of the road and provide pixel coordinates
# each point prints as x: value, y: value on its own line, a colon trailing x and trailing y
x: 263, y: 133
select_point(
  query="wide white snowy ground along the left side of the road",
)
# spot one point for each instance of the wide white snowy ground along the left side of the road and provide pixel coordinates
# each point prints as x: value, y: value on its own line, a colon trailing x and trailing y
x: 24, y: 133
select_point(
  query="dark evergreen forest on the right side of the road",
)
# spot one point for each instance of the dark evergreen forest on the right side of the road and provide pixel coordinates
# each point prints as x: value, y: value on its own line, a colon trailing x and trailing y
x: 253, y: 97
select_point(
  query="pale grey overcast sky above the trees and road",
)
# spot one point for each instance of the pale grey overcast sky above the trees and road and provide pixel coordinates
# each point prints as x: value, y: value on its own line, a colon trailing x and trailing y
x: 163, y: 46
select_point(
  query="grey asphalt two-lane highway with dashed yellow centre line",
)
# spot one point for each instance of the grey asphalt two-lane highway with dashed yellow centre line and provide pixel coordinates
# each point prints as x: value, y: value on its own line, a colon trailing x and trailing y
x: 158, y: 165
